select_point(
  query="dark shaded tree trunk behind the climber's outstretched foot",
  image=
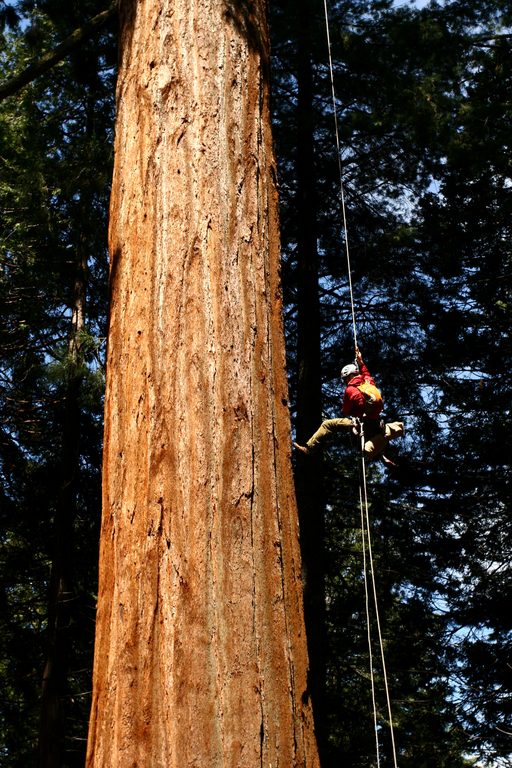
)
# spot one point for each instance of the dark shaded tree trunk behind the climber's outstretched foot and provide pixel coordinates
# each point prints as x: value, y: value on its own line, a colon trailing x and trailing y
x: 309, y: 480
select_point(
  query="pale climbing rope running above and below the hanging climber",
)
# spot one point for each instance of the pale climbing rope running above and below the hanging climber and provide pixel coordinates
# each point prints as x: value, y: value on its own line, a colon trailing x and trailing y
x: 363, y: 493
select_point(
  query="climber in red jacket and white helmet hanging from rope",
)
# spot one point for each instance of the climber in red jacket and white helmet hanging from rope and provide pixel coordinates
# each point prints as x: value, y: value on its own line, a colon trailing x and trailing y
x: 362, y: 405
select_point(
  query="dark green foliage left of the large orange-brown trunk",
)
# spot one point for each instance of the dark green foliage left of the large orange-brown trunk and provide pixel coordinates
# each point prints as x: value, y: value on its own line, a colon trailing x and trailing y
x: 55, y: 149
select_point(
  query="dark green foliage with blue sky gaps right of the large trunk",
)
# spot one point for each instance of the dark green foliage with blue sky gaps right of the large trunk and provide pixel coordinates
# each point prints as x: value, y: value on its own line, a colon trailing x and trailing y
x: 424, y: 112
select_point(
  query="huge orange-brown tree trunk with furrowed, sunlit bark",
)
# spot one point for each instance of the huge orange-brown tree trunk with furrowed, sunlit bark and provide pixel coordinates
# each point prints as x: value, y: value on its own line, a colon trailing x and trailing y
x: 200, y: 651
